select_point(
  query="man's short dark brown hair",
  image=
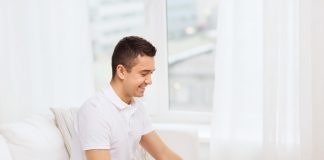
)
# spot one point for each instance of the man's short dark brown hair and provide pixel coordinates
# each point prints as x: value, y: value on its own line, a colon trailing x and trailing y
x: 128, y: 49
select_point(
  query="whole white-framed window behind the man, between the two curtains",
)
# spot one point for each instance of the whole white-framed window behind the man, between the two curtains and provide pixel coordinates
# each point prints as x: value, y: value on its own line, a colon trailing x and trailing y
x: 184, y: 61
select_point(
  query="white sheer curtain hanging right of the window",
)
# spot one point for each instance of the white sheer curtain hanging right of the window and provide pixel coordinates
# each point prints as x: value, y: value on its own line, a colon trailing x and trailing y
x: 268, y: 81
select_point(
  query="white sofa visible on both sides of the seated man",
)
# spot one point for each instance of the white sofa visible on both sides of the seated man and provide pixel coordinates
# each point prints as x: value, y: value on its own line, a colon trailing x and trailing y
x: 40, y: 138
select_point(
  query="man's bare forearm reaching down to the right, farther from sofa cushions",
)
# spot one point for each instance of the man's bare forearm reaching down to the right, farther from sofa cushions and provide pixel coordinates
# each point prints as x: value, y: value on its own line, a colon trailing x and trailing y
x: 152, y: 143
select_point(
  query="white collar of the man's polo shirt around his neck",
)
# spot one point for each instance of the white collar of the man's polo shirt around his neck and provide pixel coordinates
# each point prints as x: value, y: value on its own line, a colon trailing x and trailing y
x: 110, y: 93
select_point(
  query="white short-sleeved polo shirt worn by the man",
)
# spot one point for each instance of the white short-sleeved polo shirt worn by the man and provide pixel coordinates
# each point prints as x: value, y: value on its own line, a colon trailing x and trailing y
x: 106, y: 122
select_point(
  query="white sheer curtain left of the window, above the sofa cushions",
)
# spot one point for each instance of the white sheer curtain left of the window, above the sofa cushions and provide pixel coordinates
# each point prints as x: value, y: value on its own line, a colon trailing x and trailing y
x: 45, y: 57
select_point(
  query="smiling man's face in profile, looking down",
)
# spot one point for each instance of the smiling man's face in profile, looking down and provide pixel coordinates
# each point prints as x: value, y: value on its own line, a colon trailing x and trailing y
x: 139, y: 76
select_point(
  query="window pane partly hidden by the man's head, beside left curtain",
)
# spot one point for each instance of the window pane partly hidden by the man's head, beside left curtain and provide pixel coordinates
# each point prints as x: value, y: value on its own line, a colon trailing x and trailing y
x: 110, y: 20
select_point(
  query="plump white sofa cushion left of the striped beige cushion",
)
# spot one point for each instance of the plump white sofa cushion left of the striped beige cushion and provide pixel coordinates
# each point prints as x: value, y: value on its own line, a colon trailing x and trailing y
x: 36, y: 138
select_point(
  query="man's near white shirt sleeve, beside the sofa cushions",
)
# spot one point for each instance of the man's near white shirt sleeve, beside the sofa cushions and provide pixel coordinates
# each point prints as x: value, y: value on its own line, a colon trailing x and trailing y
x: 93, y: 129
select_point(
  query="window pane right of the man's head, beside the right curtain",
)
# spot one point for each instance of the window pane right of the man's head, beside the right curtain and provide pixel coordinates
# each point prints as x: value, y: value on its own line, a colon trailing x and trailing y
x: 191, y: 44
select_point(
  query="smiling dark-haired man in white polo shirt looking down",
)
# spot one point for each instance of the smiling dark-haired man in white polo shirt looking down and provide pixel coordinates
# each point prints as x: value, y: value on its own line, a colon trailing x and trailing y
x: 112, y: 124
